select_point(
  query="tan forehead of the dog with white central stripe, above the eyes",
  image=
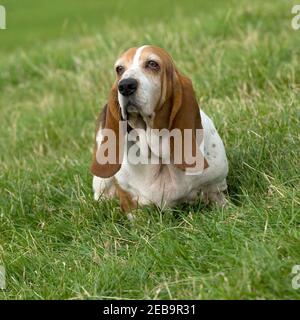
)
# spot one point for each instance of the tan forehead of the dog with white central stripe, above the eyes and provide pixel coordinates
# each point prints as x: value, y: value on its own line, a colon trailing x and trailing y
x: 136, y: 56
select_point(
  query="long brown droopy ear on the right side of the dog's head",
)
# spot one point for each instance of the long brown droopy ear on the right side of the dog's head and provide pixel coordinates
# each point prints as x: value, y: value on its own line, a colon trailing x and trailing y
x: 182, y: 112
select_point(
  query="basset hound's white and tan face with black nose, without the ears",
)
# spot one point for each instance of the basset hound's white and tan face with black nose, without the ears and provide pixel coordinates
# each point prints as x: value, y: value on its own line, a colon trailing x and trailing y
x: 140, y: 81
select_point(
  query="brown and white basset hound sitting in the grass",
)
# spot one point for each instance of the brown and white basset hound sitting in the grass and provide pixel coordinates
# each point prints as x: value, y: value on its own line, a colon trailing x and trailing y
x: 150, y: 93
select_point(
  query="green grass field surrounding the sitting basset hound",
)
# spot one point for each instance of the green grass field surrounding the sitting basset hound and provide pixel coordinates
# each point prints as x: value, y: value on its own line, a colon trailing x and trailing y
x: 56, y: 68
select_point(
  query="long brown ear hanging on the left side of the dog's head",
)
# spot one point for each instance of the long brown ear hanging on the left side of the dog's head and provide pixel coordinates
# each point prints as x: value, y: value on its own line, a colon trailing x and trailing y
x: 109, y: 144
